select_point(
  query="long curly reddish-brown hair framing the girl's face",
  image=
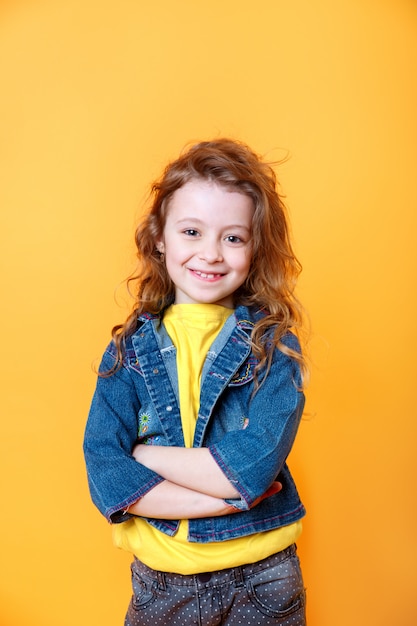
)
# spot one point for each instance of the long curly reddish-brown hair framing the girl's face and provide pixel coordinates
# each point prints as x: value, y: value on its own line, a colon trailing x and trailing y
x: 274, y: 267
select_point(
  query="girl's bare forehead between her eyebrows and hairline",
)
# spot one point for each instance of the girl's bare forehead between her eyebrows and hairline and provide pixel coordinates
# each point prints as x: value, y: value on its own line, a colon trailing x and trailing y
x: 210, y: 202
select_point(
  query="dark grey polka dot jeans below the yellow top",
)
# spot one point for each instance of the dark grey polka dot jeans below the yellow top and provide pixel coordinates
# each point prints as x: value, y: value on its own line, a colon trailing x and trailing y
x: 268, y: 592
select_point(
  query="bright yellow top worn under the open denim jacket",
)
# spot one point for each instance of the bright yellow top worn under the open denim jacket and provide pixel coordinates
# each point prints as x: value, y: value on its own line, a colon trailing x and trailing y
x: 193, y: 328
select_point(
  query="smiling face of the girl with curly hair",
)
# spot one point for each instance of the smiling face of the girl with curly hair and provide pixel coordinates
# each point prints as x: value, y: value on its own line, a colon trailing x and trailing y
x: 207, y: 242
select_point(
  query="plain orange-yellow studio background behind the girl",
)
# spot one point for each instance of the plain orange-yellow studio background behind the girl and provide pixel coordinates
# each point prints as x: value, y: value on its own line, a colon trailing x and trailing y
x: 96, y: 97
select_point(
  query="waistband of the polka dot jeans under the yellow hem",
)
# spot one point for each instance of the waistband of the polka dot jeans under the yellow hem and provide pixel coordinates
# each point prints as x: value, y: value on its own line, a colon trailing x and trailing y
x: 220, y: 576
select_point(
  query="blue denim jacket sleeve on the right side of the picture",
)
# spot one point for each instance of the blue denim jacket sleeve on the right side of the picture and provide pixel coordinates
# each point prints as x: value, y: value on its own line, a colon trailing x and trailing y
x: 252, y: 458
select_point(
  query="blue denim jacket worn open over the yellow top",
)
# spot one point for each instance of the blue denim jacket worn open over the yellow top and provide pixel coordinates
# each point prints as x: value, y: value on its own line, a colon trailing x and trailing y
x: 249, y: 434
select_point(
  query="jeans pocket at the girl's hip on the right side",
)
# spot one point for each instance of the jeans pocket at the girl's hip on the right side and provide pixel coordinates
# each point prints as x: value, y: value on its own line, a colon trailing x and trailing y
x: 278, y: 591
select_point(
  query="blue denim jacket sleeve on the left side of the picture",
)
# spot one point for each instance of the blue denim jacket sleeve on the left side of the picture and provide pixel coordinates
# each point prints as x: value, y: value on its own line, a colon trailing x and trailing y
x: 115, y: 479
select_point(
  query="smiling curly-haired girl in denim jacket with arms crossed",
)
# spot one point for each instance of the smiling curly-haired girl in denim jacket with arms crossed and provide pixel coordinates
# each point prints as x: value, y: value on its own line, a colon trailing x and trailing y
x: 199, y: 398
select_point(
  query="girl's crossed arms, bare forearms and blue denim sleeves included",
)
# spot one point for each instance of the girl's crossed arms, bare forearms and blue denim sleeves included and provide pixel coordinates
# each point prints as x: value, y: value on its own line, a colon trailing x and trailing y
x: 187, y: 483
